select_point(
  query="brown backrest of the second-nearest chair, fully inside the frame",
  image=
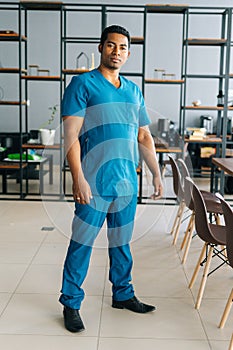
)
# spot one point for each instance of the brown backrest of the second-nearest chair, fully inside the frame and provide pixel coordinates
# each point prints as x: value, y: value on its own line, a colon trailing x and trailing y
x: 201, y: 216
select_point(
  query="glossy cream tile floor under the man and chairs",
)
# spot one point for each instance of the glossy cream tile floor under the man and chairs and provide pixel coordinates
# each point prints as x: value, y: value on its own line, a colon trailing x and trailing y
x: 30, y: 278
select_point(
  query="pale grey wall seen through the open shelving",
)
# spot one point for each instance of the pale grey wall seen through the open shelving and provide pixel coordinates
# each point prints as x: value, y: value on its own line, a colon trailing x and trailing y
x: 163, y: 51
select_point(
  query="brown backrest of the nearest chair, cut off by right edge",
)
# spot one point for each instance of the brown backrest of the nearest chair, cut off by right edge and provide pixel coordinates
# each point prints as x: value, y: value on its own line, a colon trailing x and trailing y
x: 228, y: 217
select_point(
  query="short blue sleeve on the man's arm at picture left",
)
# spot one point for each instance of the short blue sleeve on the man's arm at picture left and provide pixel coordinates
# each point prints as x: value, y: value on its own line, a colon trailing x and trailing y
x: 74, y: 100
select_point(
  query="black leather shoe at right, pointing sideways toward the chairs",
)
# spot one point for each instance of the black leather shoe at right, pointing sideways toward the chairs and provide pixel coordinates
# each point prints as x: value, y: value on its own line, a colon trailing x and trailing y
x: 134, y: 305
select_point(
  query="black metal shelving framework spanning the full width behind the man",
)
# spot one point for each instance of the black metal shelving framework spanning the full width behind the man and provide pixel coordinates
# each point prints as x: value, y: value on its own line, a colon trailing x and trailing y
x: 105, y: 11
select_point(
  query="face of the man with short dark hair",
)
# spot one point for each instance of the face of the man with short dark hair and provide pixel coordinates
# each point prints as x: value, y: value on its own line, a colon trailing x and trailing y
x: 115, y: 51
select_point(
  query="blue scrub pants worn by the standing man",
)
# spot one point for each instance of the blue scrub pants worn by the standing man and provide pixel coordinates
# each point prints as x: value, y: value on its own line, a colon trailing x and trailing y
x: 88, y: 220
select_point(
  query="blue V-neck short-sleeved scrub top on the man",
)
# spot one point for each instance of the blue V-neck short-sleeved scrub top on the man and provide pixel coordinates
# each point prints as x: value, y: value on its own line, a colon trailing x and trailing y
x: 108, y: 139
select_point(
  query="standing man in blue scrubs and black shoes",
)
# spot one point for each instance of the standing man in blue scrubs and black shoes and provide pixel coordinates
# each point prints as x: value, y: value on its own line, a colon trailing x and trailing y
x: 108, y: 114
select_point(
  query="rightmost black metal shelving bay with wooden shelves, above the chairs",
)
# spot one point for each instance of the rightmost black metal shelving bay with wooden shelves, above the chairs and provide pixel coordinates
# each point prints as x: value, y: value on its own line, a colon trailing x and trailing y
x: 222, y: 76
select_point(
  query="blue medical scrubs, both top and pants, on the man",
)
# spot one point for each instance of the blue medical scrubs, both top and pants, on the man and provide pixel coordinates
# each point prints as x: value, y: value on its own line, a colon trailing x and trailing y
x: 109, y: 155
